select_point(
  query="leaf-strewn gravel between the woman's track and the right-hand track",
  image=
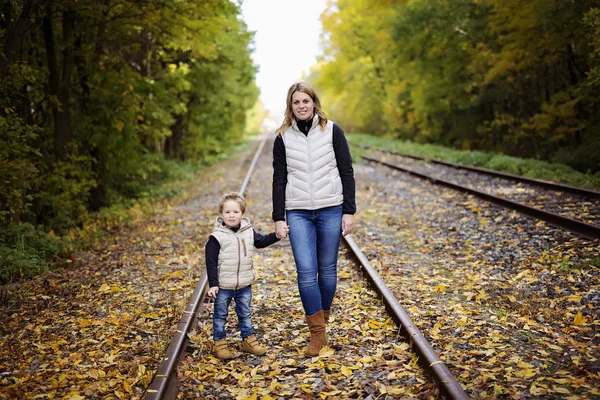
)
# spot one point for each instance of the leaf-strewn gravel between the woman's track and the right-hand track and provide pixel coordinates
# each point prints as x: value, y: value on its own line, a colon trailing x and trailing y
x: 512, y: 311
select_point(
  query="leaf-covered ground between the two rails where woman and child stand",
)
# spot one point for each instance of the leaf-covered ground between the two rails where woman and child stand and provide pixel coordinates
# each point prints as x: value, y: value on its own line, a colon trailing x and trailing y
x: 366, y: 357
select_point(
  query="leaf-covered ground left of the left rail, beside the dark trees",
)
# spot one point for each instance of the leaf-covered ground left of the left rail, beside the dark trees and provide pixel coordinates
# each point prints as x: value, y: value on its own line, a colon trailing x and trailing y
x: 98, y: 330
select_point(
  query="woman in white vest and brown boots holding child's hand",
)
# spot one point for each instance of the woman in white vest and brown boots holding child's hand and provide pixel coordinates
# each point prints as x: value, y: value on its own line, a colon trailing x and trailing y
x: 313, y: 194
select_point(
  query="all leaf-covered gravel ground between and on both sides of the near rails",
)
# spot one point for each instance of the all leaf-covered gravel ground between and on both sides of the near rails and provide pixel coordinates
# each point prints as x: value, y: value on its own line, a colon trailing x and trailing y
x: 512, y: 311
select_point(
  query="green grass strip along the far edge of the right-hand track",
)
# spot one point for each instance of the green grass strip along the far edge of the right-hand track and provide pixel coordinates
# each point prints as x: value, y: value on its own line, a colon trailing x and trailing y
x: 529, y: 168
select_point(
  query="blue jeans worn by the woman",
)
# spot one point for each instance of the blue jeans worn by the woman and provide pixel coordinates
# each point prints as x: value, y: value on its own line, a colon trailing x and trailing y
x: 315, y: 239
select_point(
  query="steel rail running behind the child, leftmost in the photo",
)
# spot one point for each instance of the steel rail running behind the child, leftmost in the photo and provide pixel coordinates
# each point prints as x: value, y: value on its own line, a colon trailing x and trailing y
x: 164, y: 384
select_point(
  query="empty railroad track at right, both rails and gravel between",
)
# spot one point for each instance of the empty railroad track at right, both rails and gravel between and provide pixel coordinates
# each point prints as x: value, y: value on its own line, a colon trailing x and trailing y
x: 566, y: 207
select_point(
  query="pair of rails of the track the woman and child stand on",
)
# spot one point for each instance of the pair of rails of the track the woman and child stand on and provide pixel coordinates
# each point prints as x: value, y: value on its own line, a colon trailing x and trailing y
x: 166, y: 381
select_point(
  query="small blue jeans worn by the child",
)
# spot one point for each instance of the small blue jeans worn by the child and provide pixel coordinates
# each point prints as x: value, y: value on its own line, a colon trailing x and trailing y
x: 243, y: 298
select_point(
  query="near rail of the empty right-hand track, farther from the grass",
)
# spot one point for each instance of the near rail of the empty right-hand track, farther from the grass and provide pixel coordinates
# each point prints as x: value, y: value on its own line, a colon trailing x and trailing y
x: 583, y: 229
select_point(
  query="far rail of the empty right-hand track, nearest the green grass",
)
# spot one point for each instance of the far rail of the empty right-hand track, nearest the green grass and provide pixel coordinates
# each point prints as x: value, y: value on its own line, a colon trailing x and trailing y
x: 546, y: 184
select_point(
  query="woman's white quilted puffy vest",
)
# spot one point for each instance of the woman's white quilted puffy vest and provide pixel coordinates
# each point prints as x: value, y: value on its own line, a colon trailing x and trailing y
x: 313, y: 180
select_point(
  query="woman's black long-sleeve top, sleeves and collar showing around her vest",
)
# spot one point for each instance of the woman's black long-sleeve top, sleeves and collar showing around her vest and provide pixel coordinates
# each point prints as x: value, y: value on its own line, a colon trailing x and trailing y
x: 344, y: 164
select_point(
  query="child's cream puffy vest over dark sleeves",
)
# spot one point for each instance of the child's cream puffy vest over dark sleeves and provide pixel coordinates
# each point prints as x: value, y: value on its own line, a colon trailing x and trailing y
x: 236, y: 269
